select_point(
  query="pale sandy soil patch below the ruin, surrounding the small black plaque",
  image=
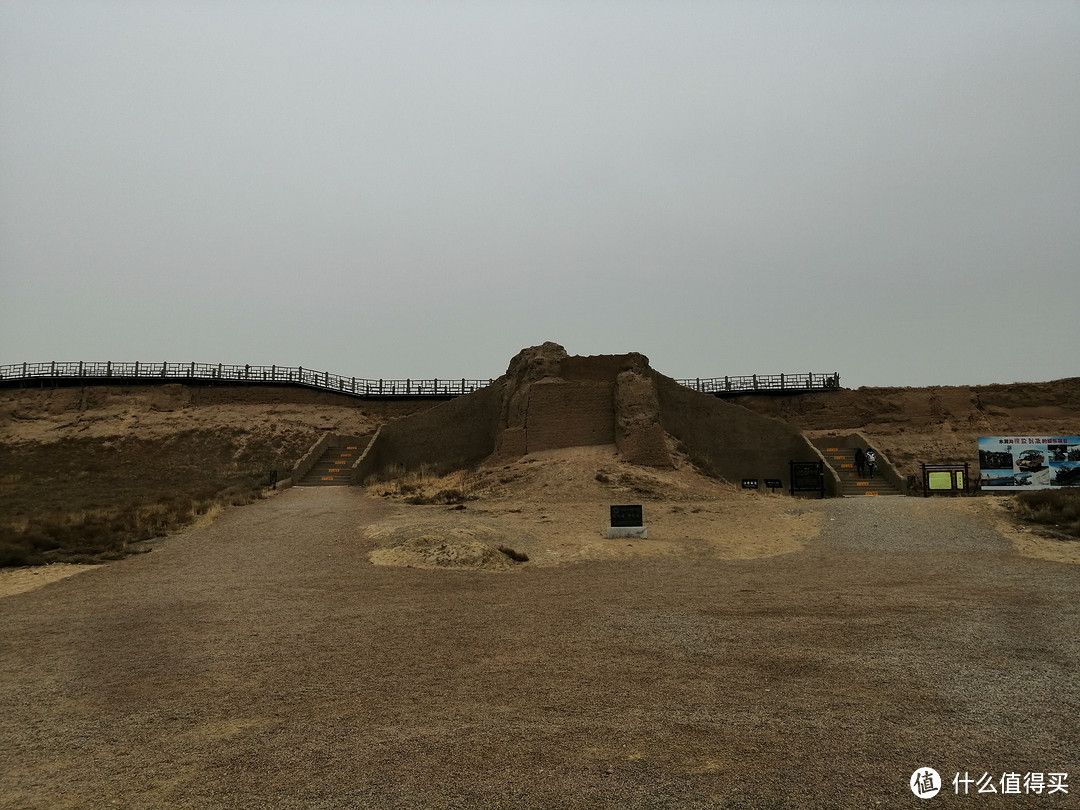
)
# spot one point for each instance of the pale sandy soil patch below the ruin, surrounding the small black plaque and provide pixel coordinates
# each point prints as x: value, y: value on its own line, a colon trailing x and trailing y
x: 553, y: 508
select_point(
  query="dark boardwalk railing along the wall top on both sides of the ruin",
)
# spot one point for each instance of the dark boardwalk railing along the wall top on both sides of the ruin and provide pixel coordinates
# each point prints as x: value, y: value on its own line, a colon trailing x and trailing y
x: 18, y: 375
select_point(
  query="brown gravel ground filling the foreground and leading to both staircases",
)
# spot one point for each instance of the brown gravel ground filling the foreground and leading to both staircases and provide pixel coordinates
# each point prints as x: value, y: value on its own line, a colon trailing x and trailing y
x: 263, y: 663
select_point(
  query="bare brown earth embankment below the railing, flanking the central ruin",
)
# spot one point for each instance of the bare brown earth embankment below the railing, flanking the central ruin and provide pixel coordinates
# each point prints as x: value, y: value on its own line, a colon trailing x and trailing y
x: 911, y: 425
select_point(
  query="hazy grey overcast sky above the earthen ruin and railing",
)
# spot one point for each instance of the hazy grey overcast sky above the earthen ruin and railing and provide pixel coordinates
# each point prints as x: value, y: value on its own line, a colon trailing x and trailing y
x: 890, y: 191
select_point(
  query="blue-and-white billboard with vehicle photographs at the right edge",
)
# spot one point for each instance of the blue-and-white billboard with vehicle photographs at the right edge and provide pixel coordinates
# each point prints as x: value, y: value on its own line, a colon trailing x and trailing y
x: 1029, y: 463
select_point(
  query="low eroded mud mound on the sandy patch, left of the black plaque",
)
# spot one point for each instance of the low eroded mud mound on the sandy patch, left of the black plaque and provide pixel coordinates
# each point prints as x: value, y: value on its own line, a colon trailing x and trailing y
x: 431, y: 546
